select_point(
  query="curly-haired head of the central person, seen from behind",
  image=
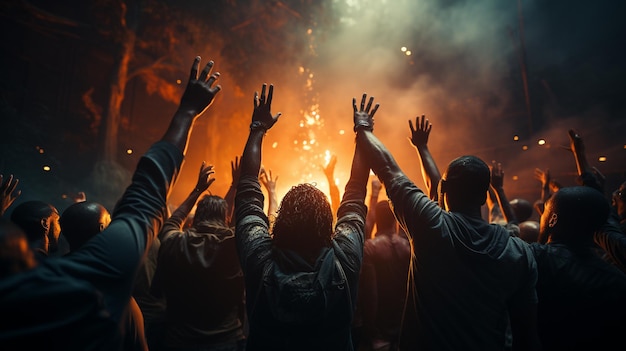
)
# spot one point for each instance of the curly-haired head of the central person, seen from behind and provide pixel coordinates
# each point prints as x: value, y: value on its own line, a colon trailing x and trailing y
x: 304, y: 221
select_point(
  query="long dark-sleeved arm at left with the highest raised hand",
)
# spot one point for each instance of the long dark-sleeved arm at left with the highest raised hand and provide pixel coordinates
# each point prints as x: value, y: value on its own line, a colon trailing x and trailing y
x: 116, y: 254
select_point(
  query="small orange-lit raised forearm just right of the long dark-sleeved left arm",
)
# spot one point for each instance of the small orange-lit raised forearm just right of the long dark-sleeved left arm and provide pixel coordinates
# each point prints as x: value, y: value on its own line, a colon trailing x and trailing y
x: 177, y: 219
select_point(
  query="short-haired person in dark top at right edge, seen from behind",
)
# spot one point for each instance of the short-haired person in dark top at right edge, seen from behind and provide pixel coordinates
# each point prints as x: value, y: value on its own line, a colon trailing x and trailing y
x: 581, y: 296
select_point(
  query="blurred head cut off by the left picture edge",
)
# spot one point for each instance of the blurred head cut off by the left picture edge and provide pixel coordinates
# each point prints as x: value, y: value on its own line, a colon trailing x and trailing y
x: 15, y: 253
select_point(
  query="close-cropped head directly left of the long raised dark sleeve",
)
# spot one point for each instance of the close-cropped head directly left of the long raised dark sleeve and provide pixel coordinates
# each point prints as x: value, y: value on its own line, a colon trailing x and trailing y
x: 82, y: 221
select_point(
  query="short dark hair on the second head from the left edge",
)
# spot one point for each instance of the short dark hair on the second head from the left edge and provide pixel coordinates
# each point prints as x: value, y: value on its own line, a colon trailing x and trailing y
x: 28, y: 216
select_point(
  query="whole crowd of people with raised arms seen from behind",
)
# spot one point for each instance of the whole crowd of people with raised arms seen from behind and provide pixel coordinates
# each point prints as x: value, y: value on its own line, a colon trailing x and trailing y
x: 424, y: 269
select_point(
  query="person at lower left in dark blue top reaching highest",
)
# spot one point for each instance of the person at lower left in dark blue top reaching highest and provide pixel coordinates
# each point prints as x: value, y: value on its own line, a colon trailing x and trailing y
x: 78, y: 302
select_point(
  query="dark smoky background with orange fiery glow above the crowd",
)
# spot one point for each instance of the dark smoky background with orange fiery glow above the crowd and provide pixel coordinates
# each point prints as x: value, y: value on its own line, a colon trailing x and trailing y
x: 464, y: 72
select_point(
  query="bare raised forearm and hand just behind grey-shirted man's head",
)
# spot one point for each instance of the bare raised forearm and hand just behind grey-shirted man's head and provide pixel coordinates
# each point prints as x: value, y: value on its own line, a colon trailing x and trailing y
x: 419, y: 139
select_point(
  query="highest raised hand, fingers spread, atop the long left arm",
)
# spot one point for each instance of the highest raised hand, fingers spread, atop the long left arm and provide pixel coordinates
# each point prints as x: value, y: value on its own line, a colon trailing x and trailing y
x: 200, y: 91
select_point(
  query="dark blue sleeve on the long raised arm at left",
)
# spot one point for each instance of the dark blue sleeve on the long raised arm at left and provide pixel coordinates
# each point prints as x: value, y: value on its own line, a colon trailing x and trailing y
x: 110, y: 260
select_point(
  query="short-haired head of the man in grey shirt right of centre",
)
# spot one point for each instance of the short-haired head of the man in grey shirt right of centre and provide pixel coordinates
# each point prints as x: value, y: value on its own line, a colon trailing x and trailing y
x: 464, y: 184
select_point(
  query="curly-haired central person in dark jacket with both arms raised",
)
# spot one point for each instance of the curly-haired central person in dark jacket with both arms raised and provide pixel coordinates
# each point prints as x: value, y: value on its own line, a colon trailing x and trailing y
x: 301, y: 279
